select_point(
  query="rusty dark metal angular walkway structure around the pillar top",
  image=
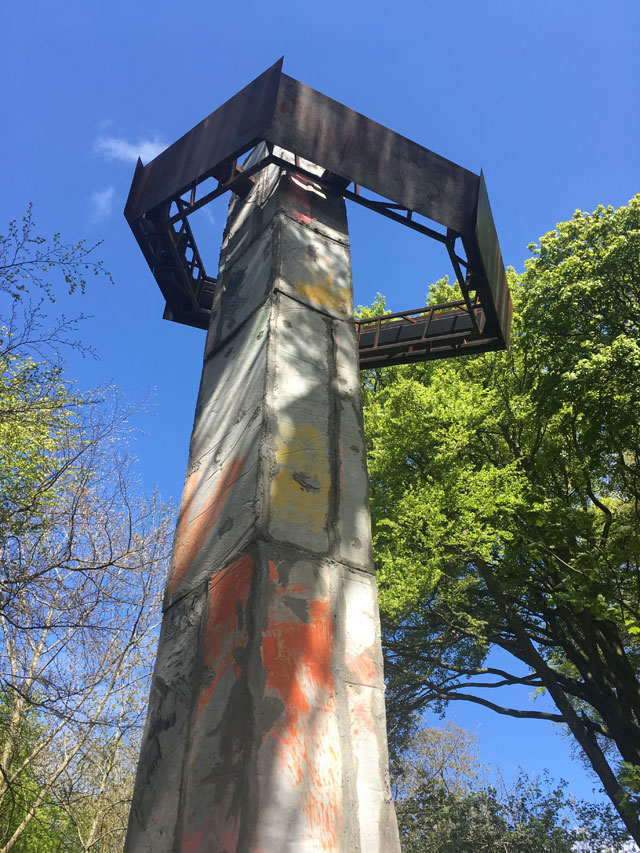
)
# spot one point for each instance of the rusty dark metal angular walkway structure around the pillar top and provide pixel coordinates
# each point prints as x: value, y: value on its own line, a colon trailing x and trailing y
x: 355, y: 153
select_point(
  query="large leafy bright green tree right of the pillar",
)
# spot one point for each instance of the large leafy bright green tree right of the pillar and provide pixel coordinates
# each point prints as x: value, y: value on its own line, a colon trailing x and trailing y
x: 506, y: 504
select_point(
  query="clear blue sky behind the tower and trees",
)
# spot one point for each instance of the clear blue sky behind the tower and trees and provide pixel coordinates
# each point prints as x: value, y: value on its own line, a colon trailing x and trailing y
x: 543, y: 96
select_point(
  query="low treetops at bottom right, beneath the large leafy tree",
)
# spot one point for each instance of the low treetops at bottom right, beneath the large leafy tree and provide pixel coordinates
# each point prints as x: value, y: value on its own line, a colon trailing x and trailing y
x: 446, y: 800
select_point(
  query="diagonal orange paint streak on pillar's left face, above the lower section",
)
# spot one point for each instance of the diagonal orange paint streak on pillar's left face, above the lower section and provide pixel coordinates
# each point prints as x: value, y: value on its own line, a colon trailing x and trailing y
x: 191, y: 535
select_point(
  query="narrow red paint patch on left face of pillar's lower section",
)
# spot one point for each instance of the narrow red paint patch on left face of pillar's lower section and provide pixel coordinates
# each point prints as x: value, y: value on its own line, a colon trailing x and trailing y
x: 227, y: 589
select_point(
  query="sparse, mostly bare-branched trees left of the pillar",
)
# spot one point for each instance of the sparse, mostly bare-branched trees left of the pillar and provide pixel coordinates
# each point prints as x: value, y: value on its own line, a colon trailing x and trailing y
x: 83, y: 554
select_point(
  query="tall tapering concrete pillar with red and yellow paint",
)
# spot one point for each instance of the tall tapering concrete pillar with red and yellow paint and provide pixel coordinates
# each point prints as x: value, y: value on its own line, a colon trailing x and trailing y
x: 266, y: 724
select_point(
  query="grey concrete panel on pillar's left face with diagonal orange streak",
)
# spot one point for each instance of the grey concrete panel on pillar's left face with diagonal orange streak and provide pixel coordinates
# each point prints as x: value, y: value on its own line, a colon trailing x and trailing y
x: 220, y: 506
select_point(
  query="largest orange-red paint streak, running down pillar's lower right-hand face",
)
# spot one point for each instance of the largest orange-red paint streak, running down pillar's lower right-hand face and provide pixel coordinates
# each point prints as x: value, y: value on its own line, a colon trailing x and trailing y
x: 298, y: 757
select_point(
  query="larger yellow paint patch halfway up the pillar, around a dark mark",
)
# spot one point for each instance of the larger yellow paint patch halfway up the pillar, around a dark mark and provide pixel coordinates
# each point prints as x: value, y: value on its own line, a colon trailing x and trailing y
x: 300, y: 489
